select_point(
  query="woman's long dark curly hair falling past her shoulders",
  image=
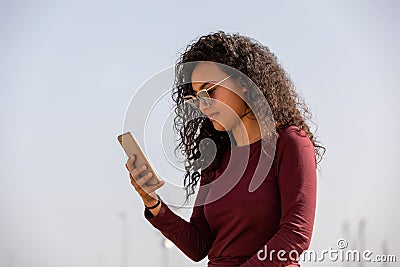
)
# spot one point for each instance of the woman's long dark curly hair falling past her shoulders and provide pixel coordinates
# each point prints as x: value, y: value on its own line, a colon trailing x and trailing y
x: 258, y: 63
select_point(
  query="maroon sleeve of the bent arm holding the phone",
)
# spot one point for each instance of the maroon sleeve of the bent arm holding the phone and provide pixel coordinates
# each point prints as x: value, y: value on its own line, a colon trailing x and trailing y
x: 193, y: 238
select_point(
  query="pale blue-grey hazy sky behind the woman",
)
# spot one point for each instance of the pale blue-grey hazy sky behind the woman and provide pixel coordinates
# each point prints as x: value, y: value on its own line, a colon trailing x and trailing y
x: 68, y: 70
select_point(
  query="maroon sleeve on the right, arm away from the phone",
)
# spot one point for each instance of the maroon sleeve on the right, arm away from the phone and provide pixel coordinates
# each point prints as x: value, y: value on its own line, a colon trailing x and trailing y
x: 297, y: 186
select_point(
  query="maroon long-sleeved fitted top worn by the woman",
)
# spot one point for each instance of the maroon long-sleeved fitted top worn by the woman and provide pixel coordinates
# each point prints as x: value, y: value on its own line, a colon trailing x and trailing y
x: 242, y: 228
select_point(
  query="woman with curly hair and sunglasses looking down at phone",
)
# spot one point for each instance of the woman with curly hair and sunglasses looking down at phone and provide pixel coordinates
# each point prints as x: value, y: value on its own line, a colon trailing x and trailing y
x: 271, y: 224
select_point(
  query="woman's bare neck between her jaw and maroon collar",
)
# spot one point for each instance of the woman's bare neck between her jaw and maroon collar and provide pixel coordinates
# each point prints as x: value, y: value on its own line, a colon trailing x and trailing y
x: 247, y: 131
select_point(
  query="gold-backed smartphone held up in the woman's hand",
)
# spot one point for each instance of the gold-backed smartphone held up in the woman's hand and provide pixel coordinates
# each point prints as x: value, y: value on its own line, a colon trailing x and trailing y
x: 132, y: 147
